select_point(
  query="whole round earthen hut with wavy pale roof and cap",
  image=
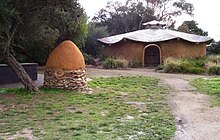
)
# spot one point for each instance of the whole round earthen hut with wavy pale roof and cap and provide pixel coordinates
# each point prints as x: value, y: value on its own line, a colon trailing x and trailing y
x: 152, y: 45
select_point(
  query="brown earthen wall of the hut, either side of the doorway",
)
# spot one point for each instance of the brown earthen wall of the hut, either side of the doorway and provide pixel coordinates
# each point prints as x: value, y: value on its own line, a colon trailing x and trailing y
x: 131, y: 50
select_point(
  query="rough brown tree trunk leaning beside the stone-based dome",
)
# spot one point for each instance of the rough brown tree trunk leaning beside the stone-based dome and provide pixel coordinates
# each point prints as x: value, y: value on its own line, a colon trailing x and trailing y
x: 21, y: 73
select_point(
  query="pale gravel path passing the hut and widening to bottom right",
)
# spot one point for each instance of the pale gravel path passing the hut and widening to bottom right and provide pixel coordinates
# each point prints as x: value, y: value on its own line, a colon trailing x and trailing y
x: 195, y: 118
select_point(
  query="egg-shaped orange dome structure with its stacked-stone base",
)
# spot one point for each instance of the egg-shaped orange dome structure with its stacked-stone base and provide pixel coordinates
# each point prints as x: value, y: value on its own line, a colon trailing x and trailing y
x: 65, y: 68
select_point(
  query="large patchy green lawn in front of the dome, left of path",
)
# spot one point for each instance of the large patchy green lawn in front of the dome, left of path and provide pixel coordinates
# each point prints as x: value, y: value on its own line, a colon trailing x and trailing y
x: 118, y: 108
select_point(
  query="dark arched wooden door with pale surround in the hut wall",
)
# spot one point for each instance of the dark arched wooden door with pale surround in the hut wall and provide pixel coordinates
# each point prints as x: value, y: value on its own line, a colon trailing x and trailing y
x: 152, y: 54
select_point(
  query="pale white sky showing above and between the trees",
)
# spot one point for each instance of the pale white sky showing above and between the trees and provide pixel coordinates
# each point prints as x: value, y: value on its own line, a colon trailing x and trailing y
x: 205, y: 13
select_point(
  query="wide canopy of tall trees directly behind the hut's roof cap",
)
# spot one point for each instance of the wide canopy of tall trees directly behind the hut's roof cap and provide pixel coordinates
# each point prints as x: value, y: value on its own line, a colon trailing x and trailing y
x: 121, y: 18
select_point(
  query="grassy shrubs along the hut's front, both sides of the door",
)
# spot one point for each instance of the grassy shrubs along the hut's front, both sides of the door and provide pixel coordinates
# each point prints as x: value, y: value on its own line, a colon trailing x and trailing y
x: 210, y: 65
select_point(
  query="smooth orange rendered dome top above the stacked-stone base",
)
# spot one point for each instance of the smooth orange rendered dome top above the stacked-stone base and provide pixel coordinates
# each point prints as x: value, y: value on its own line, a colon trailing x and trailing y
x: 66, y: 56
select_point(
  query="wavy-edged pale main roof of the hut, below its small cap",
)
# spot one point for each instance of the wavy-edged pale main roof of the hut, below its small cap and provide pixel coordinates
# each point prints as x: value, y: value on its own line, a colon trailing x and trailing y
x: 154, y: 35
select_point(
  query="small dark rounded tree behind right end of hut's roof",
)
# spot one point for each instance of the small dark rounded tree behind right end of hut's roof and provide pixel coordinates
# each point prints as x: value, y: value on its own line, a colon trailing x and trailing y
x: 192, y: 28
